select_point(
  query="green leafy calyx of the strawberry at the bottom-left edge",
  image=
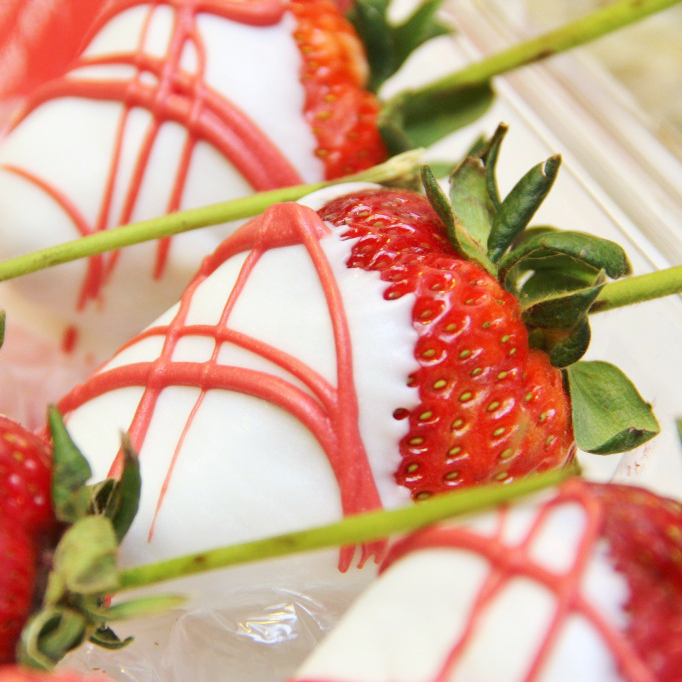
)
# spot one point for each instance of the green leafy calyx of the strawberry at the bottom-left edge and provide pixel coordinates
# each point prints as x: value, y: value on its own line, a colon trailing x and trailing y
x: 84, y: 572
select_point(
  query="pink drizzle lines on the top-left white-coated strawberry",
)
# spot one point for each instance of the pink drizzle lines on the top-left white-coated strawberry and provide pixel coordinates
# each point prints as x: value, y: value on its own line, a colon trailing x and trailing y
x: 176, y: 95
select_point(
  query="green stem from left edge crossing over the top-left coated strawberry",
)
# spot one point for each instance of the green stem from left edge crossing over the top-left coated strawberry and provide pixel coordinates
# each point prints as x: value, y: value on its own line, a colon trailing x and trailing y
x: 183, y: 221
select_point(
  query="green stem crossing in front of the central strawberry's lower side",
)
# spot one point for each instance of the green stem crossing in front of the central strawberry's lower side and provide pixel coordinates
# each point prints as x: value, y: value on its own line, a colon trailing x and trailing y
x: 353, y: 530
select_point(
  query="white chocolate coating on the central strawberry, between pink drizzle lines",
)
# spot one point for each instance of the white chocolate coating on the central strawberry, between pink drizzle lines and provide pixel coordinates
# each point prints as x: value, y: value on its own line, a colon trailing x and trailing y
x: 246, y: 468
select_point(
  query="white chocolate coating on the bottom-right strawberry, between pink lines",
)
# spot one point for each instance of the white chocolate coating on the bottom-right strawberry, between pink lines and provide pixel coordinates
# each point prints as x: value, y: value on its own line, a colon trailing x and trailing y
x: 404, y: 627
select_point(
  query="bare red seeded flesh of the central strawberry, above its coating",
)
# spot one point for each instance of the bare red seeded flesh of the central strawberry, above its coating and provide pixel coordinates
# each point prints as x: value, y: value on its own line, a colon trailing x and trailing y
x: 490, y: 408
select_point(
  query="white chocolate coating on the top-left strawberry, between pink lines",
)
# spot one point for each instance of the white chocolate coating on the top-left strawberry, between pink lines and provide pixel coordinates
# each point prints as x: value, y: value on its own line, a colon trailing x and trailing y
x: 69, y: 143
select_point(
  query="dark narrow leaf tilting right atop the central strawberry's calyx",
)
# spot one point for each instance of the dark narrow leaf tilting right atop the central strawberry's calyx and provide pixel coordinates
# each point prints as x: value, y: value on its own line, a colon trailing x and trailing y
x: 520, y: 205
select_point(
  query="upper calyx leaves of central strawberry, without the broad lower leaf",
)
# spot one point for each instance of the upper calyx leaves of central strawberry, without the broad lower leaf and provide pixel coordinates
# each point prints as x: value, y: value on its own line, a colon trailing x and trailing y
x: 556, y: 274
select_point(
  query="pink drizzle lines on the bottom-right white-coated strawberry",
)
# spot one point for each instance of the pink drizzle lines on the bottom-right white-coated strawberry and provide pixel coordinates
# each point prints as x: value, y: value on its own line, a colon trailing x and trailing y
x: 510, y: 561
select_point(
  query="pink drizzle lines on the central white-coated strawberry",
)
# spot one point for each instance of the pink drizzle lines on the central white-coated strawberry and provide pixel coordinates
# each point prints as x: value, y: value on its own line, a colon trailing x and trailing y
x: 331, y: 414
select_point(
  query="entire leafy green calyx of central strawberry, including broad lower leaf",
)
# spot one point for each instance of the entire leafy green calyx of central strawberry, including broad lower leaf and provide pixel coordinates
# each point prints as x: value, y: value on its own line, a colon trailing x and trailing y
x: 557, y: 276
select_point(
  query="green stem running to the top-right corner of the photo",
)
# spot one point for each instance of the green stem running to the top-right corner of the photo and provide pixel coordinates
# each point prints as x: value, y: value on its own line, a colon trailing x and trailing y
x: 583, y: 30
